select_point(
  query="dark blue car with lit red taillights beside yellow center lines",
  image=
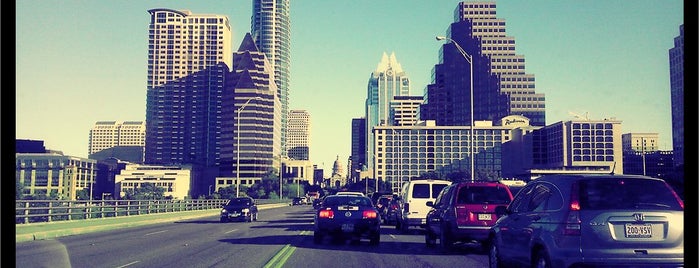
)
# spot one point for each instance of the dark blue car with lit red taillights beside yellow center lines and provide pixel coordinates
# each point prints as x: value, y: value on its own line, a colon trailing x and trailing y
x: 344, y: 217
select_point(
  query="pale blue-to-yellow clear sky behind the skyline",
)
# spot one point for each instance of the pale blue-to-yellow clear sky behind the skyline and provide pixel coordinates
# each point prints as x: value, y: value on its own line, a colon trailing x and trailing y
x: 79, y: 62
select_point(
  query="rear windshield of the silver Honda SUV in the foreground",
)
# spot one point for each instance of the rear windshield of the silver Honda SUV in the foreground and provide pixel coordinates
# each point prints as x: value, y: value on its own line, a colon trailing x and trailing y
x: 615, y: 193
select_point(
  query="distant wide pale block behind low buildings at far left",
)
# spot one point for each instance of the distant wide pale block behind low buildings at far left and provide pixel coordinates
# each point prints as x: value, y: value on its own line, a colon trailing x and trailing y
x: 109, y: 134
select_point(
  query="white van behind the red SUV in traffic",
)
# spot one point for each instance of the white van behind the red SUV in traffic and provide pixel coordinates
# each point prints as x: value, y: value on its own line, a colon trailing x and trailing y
x: 414, y: 197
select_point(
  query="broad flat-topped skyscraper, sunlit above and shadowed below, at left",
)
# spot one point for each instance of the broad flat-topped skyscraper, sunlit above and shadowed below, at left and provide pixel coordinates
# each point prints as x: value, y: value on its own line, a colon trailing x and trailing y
x: 188, y: 57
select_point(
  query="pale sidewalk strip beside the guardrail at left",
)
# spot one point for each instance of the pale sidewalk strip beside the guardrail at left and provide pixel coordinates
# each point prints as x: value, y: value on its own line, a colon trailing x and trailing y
x: 50, y: 230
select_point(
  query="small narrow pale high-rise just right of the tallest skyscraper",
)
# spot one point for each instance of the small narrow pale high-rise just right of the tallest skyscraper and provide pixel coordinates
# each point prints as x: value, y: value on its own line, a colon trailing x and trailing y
x: 298, y: 135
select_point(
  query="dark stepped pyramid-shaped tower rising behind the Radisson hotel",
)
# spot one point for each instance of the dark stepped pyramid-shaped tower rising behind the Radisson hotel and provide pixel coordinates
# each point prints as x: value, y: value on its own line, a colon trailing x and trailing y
x: 501, y: 86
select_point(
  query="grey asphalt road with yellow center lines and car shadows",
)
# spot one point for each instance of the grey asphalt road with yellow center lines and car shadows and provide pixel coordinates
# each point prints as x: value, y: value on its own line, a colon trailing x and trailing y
x: 282, y: 237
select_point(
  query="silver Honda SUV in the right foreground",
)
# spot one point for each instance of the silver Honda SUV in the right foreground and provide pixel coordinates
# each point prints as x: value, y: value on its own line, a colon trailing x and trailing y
x: 588, y: 220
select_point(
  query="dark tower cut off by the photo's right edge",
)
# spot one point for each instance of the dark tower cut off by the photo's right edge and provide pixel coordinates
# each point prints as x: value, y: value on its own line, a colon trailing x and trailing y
x: 676, y: 55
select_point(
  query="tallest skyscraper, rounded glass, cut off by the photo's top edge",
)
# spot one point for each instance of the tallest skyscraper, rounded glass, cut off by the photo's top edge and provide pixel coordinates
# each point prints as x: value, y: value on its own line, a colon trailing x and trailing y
x: 271, y: 31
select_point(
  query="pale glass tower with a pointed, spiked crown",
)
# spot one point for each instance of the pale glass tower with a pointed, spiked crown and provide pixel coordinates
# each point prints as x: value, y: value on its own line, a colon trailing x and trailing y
x: 386, y: 82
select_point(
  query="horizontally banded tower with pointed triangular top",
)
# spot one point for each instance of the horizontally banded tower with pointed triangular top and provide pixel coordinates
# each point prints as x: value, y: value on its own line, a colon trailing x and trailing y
x: 251, y: 123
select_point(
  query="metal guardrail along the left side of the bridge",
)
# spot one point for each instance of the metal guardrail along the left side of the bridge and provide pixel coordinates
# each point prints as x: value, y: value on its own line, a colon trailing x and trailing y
x: 34, y: 211
